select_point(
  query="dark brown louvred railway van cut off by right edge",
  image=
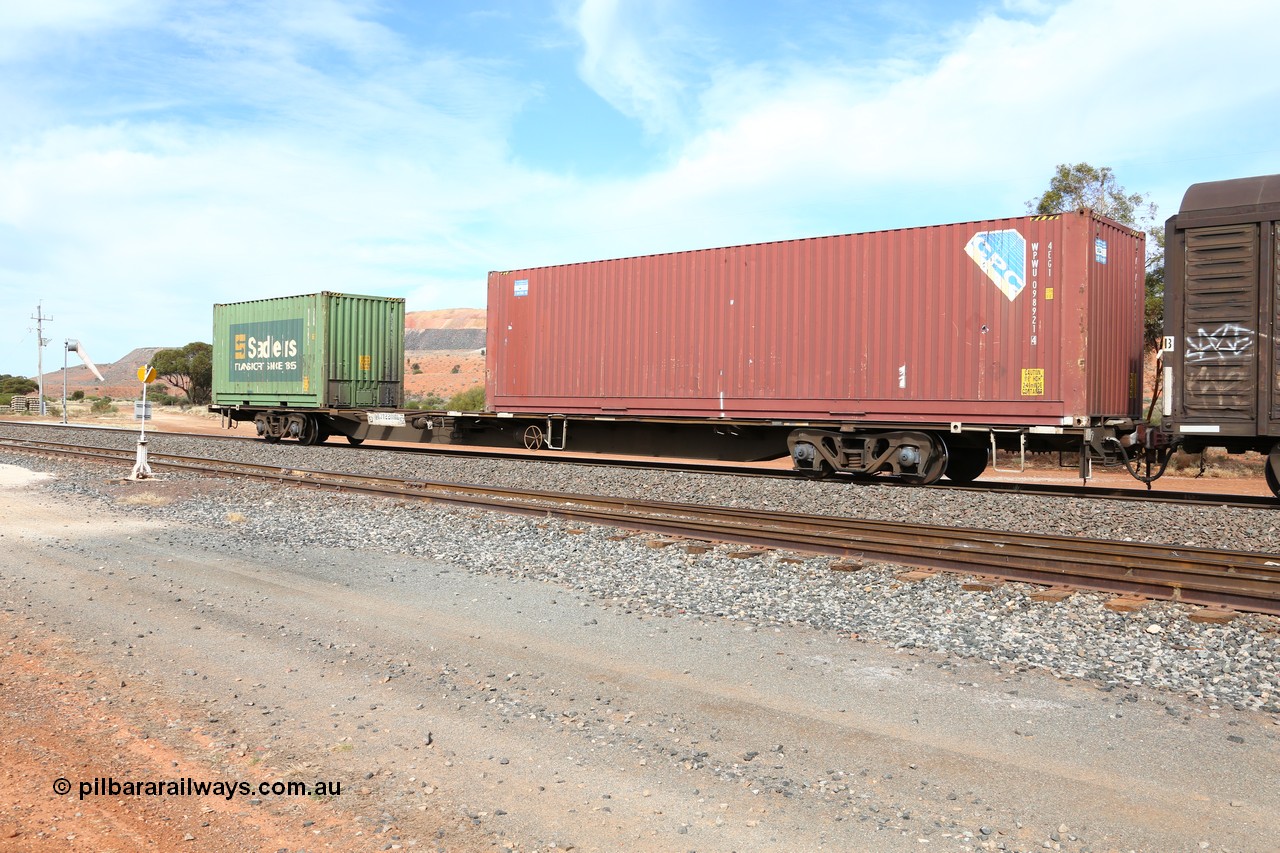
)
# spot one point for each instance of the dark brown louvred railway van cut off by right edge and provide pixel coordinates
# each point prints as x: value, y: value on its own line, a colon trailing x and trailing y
x: 1222, y: 311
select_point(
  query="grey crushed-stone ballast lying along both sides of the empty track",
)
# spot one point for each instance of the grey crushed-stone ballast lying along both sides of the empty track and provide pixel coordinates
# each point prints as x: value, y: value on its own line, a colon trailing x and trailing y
x: 1158, y: 647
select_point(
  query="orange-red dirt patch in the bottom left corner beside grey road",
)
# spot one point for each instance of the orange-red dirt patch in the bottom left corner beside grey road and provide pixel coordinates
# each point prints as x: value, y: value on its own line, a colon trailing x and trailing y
x: 56, y: 726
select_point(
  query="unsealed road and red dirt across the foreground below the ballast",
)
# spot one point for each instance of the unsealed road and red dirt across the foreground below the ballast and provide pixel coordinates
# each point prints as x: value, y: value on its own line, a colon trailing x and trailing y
x: 468, y: 711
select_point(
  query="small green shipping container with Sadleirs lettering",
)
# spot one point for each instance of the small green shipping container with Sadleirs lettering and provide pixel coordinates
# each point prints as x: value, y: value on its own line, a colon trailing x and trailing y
x: 314, y: 352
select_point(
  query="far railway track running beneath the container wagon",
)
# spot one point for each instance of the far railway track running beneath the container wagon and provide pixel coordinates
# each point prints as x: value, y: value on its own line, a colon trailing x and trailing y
x: 747, y: 469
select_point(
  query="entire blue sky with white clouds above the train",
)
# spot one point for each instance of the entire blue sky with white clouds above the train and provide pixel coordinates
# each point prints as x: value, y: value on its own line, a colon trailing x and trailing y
x: 158, y: 157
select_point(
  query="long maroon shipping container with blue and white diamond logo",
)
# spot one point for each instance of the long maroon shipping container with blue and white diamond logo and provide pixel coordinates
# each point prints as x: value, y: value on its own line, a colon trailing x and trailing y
x: 1034, y: 321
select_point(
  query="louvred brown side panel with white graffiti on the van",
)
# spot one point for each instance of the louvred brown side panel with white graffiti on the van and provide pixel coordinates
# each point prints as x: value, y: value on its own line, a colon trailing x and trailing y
x: 1220, y: 314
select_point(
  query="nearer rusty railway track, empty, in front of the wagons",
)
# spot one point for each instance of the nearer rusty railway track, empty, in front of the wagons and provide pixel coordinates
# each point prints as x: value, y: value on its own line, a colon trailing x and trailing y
x: 1232, y: 580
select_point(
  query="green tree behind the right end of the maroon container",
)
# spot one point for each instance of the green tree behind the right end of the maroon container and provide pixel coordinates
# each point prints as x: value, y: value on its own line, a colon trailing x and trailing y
x: 1086, y: 186
